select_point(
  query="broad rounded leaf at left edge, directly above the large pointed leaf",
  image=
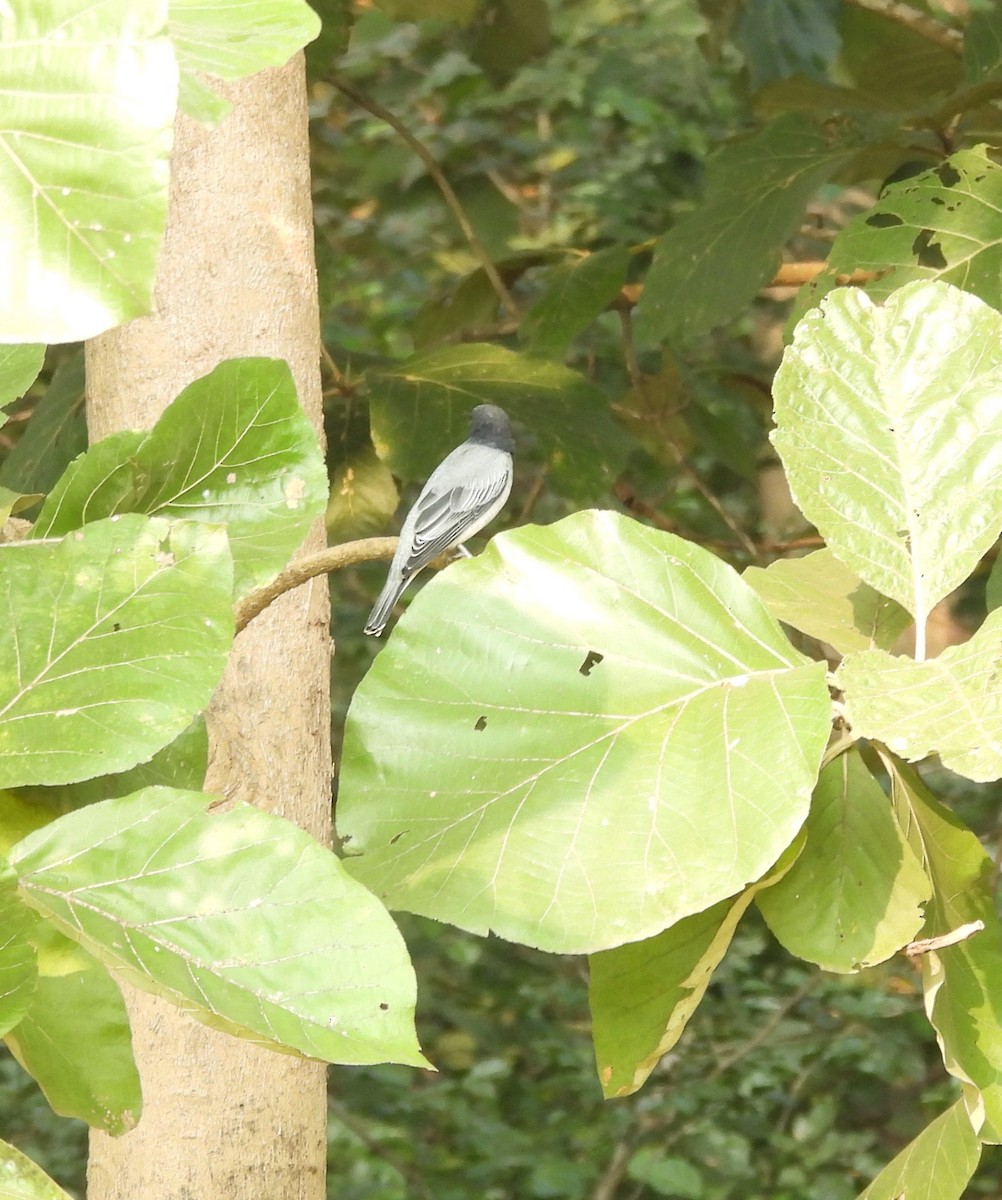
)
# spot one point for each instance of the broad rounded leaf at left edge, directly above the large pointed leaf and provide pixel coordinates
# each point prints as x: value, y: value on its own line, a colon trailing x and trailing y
x: 118, y: 637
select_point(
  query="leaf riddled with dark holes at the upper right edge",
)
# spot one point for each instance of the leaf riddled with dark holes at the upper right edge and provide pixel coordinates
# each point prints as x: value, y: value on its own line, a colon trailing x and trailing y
x: 941, y: 225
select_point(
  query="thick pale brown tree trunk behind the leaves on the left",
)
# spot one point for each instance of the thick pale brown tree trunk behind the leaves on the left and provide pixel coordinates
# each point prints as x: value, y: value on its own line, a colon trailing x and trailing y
x: 225, y: 1120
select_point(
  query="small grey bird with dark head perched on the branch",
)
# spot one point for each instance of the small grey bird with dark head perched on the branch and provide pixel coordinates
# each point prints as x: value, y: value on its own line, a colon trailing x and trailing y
x: 465, y: 493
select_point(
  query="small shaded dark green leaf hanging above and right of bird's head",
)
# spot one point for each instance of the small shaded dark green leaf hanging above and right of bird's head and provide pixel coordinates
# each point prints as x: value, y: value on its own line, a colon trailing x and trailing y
x: 575, y: 295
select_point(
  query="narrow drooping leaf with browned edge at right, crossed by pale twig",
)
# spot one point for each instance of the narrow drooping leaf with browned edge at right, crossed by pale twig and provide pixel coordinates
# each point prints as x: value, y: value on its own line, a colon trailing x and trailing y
x: 964, y: 982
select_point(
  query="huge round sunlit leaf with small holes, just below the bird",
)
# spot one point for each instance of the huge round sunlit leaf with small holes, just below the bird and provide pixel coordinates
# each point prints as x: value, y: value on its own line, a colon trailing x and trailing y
x: 583, y: 705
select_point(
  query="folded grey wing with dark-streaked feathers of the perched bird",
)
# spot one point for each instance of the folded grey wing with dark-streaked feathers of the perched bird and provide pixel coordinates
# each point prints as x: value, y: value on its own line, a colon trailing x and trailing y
x: 445, y: 517
